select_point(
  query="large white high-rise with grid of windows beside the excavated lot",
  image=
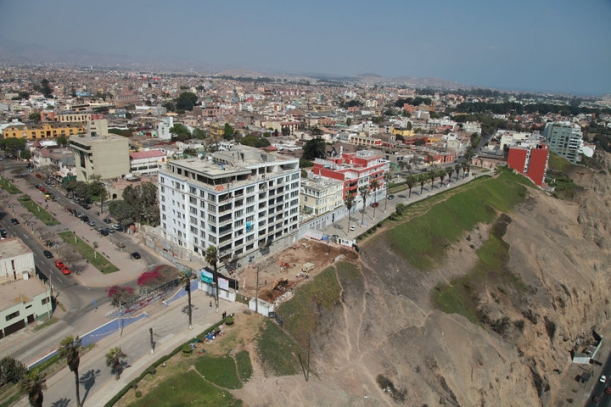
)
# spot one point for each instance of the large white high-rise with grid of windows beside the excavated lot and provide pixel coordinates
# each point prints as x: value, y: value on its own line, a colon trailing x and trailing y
x: 239, y: 201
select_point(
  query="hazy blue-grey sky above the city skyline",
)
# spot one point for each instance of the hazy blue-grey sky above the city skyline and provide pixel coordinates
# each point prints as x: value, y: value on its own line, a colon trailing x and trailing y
x: 543, y: 45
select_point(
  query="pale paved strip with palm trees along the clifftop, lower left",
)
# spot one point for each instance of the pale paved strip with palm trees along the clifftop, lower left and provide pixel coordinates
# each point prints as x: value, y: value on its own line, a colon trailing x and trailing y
x: 170, y: 329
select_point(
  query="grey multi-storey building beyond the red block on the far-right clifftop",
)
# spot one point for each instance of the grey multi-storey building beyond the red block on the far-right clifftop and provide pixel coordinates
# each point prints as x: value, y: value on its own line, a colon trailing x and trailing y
x: 564, y: 139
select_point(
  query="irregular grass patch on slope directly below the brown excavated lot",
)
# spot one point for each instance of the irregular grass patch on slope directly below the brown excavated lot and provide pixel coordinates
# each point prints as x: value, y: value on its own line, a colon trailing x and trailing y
x: 300, y: 314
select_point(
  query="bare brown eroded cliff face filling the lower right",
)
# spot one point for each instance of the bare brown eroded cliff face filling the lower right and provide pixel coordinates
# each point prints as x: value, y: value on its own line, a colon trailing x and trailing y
x: 386, y: 330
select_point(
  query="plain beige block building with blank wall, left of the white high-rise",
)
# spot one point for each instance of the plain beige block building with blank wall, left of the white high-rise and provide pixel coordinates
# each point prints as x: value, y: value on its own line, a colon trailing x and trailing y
x: 106, y: 156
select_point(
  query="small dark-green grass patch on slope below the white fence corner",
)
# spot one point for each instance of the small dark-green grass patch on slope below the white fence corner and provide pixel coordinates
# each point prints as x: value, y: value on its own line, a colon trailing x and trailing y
x: 278, y: 350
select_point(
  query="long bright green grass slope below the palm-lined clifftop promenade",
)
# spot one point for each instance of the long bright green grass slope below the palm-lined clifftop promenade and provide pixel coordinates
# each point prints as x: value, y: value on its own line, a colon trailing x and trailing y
x: 423, y: 240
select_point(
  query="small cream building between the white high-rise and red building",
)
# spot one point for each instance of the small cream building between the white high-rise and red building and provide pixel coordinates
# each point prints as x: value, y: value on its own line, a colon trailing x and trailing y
x: 320, y: 195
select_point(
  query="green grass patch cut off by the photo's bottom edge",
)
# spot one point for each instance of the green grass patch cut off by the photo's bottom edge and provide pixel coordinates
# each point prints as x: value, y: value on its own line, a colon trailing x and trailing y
x: 187, y: 389
